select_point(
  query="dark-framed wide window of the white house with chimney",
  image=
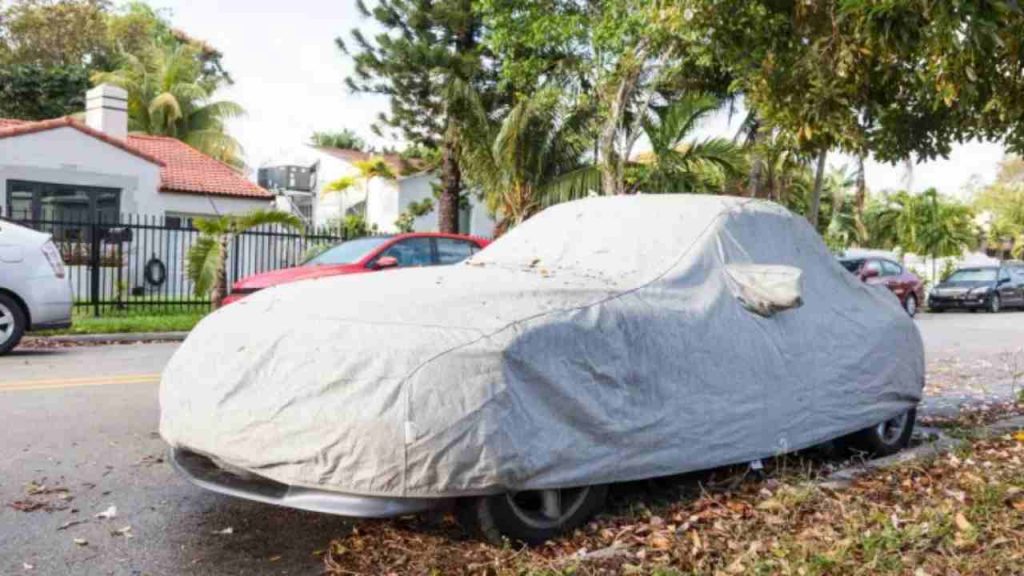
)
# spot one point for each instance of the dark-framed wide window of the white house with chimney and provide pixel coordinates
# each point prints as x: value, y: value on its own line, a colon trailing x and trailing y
x: 67, y: 208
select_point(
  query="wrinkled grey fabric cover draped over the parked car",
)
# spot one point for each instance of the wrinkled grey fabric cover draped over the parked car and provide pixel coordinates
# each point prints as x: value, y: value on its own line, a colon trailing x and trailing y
x: 608, y: 340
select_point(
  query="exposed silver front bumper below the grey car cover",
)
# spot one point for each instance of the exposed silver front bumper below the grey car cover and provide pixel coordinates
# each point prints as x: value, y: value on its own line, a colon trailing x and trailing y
x: 204, y: 473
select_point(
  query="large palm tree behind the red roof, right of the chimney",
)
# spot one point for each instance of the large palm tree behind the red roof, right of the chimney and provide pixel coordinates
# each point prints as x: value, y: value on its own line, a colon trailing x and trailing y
x: 168, y: 97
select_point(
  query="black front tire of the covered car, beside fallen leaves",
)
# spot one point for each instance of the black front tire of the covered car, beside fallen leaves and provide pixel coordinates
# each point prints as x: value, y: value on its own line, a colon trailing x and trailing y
x: 510, y: 516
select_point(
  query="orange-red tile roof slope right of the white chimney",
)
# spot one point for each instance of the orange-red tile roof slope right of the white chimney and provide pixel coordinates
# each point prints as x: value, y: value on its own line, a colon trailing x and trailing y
x: 189, y: 171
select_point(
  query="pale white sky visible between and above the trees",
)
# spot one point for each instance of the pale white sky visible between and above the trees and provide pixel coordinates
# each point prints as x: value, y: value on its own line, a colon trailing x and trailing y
x: 290, y: 77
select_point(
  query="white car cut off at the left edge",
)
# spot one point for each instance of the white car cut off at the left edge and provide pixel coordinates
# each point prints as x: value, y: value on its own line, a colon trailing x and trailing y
x: 34, y: 292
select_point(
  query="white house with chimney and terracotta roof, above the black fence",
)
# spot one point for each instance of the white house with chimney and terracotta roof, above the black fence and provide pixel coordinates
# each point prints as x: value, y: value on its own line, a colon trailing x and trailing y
x: 66, y: 170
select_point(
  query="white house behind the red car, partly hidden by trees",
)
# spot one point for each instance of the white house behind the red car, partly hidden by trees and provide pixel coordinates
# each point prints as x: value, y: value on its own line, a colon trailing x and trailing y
x: 317, y: 168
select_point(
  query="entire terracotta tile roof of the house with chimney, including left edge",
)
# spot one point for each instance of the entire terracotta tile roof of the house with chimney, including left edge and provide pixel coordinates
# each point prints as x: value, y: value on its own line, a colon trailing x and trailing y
x: 184, y: 170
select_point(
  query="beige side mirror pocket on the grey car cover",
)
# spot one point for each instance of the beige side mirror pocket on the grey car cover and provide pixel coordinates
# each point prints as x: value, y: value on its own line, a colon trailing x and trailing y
x: 765, y: 290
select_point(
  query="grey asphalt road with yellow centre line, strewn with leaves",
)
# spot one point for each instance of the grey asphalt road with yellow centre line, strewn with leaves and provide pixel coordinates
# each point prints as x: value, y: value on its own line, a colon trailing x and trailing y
x: 86, y: 420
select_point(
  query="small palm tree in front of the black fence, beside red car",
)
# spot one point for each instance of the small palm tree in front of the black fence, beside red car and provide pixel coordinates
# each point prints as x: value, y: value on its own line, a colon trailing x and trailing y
x: 208, y: 257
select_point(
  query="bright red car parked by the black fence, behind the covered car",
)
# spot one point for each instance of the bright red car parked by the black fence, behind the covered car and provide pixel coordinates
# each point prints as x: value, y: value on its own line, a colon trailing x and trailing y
x: 368, y: 255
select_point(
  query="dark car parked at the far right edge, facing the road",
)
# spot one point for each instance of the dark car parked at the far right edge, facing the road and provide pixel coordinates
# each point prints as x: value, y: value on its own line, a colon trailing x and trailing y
x: 992, y: 289
